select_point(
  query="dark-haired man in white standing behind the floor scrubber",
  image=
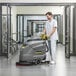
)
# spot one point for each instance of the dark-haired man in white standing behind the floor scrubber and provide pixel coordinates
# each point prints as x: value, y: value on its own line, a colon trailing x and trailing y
x: 51, y: 32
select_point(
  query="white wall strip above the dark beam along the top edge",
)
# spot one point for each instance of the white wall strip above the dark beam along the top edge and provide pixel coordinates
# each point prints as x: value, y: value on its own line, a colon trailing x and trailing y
x: 38, y: 1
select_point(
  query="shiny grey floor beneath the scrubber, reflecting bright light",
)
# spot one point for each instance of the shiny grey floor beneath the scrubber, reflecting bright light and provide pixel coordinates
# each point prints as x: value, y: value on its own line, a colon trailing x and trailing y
x: 63, y: 67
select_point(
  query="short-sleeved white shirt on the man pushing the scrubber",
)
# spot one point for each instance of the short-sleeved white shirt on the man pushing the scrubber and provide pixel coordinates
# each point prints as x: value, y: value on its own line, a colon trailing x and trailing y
x: 49, y: 26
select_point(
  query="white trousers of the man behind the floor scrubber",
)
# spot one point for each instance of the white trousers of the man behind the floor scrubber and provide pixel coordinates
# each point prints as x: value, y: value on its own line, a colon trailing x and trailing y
x: 51, y: 54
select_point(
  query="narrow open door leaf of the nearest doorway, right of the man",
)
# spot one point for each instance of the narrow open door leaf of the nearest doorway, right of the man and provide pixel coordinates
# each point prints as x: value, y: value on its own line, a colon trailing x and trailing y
x: 67, y: 31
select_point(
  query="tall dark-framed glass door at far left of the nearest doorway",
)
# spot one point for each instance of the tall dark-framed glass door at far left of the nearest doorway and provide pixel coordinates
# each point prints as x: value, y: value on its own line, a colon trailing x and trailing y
x: 6, y: 31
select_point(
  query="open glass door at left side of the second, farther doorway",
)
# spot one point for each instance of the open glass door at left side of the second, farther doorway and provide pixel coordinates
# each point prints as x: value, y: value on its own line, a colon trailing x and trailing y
x: 20, y: 29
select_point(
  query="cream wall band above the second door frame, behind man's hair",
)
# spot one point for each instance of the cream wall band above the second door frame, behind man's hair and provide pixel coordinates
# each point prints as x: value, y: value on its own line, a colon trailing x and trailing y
x: 39, y: 9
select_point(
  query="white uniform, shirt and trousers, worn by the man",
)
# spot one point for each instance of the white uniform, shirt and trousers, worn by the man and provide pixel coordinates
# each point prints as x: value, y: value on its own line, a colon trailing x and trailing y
x: 52, y: 41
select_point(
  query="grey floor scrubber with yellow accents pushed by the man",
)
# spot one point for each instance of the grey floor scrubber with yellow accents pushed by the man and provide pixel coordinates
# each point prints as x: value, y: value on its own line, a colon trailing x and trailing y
x: 34, y: 52
